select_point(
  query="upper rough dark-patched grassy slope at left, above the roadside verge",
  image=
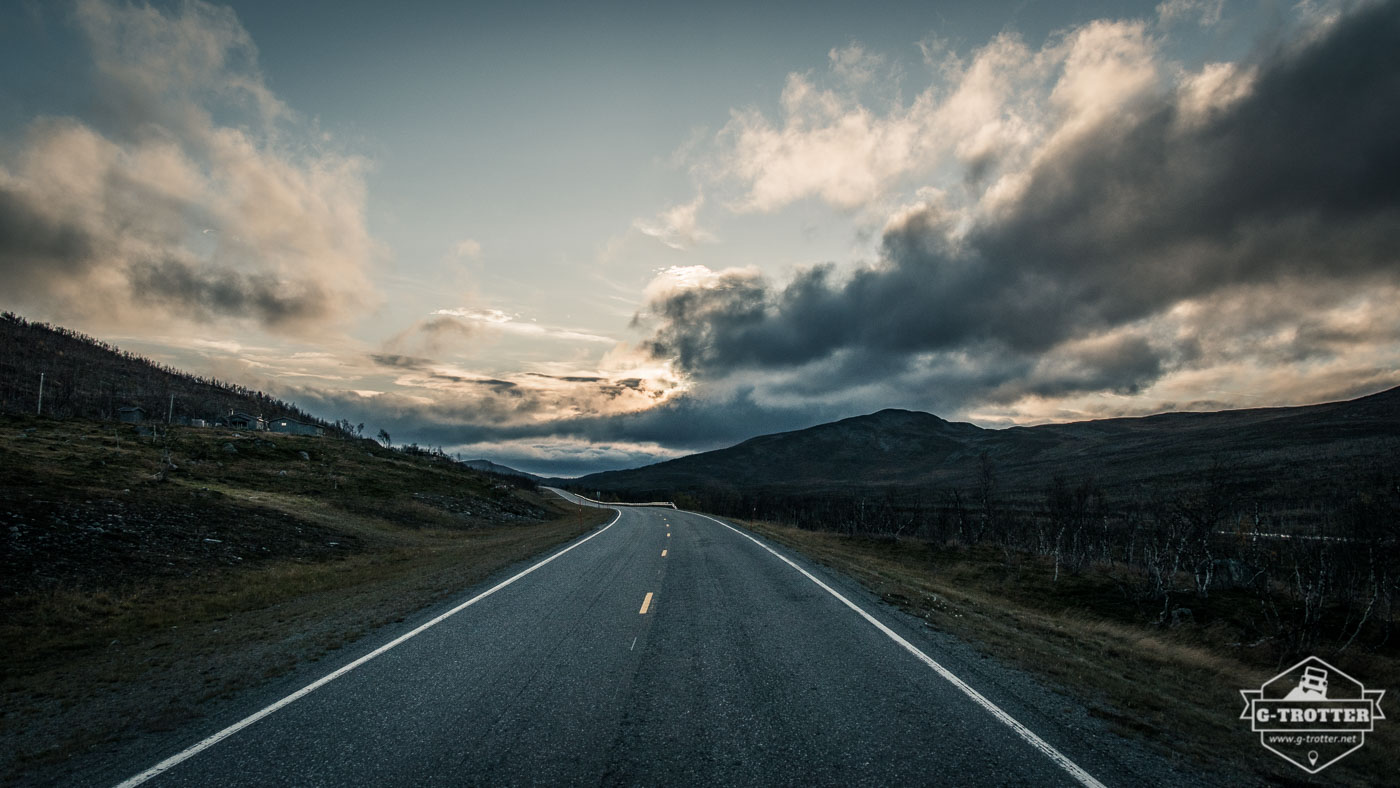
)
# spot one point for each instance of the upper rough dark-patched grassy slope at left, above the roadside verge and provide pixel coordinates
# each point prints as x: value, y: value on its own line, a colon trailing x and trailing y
x: 162, y: 505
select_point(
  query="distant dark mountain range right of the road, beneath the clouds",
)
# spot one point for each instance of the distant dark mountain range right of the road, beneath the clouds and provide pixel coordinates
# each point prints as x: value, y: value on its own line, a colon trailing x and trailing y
x: 1265, y: 451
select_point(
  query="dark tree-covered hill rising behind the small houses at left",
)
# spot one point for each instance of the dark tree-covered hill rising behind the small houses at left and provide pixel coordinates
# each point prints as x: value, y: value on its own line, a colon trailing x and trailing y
x: 89, y: 379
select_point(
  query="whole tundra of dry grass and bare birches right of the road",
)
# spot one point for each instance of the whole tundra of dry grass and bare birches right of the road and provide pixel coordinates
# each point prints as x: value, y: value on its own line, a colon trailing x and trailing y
x: 1156, y: 604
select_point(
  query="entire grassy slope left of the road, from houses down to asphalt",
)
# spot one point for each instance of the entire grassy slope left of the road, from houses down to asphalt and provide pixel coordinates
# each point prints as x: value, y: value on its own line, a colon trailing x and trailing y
x: 148, y: 575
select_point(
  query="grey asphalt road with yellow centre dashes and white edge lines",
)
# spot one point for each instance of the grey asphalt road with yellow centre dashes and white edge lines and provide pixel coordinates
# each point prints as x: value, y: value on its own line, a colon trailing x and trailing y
x: 668, y: 650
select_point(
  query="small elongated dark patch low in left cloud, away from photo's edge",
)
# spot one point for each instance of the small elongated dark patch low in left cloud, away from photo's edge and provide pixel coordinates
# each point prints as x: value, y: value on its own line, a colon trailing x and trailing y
x: 201, y: 293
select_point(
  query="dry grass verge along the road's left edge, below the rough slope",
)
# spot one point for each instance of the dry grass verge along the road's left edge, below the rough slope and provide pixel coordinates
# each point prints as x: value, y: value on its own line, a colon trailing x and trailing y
x: 90, y: 668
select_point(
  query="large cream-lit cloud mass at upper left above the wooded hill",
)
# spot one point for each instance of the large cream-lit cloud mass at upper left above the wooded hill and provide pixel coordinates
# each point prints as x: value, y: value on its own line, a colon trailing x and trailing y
x: 176, y: 215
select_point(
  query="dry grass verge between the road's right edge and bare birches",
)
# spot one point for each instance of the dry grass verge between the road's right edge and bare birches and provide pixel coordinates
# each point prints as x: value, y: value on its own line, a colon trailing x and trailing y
x: 1178, y: 689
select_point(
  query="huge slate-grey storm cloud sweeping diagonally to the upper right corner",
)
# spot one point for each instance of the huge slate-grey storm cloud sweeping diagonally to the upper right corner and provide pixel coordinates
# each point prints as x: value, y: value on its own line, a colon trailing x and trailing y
x: 1290, y: 187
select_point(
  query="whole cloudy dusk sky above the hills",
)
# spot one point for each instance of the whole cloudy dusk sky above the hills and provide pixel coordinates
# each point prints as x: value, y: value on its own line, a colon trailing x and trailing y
x: 573, y: 237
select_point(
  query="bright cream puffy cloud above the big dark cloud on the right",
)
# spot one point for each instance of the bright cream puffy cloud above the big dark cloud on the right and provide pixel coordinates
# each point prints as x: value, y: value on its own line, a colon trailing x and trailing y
x: 990, y: 115
